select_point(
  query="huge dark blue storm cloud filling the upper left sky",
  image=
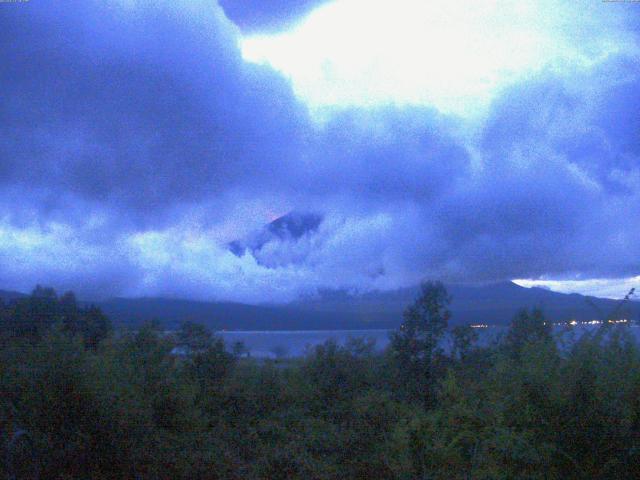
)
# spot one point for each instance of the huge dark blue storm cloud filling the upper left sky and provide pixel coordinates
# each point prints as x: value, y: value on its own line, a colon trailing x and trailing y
x: 136, y: 107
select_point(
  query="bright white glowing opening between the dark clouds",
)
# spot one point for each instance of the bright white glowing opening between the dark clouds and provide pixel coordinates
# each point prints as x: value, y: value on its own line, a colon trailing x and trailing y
x: 451, y: 55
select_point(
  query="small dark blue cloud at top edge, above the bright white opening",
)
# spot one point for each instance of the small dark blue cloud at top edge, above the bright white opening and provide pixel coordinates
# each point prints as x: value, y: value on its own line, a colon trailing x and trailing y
x: 267, y: 15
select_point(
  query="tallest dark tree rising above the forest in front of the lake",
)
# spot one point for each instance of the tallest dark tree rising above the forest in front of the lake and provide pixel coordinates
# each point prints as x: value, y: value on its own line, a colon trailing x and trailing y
x: 416, y: 343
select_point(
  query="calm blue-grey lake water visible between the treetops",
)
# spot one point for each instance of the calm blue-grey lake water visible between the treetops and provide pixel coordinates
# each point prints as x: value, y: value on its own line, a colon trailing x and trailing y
x: 273, y: 344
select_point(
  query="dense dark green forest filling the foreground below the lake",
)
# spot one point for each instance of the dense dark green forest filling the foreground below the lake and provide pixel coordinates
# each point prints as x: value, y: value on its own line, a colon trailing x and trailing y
x: 80, y: 400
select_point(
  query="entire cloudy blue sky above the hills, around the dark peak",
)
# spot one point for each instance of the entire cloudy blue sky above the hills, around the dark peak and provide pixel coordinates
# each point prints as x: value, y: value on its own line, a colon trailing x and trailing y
x: 466, y: 141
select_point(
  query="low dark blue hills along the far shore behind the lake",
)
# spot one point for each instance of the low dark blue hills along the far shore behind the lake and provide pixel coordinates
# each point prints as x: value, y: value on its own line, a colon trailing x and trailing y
x: 493, y: 304
